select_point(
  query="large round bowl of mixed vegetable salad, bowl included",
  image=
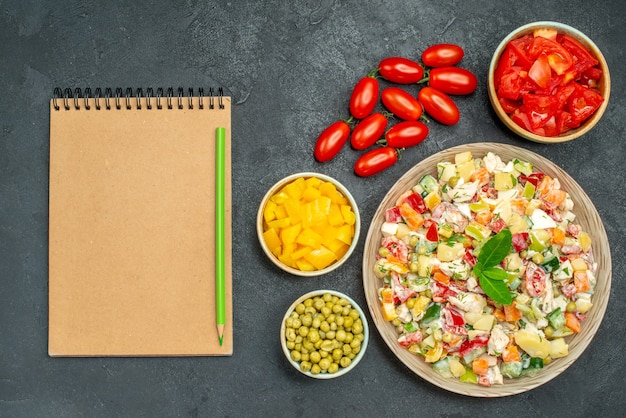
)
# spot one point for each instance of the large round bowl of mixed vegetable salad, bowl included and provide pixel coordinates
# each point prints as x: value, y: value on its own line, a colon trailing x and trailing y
x: 487, y: 270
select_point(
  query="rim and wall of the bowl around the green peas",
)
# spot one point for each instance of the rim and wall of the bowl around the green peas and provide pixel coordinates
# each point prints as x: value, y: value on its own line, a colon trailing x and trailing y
x: 342, y: 370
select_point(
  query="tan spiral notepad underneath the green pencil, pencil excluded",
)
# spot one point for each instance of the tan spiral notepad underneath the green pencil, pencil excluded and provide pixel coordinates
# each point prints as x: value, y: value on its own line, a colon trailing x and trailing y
x: 132, y: 223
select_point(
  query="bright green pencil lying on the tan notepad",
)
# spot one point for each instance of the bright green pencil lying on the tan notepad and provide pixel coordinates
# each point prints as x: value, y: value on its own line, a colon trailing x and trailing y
x: 220, y: 239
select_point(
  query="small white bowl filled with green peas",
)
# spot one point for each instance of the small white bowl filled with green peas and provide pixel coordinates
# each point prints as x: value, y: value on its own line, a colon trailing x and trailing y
x: 324, y: 334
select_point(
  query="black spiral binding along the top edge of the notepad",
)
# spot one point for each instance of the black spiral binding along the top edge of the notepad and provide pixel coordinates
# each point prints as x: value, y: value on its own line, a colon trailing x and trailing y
x: 68, y: 98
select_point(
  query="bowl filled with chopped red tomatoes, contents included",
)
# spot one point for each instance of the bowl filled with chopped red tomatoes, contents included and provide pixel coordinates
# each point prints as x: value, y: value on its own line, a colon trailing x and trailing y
x: 548, y: 82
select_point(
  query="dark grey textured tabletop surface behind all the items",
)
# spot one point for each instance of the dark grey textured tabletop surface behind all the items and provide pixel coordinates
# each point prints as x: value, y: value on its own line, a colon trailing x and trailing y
x: 290, y: 67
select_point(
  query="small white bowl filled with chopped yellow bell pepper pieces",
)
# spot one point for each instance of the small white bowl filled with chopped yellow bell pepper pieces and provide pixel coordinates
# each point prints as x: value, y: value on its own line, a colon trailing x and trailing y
x: 308, y: 224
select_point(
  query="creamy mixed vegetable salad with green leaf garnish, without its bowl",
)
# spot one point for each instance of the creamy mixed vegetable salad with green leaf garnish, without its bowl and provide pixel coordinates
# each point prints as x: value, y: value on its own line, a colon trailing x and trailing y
x: 484, y: 270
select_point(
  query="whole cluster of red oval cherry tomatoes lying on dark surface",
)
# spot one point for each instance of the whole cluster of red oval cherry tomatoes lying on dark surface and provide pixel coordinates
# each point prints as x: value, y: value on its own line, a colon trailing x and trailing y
x: 437, y: 76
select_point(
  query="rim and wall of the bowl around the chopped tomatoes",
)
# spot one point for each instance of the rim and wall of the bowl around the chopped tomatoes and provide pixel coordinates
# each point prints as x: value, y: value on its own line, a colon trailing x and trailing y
x: 604, y: 85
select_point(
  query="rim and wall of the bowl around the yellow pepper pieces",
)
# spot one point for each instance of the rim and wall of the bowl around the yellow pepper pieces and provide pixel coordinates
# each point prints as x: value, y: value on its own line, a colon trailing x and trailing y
x: 260, y: 224
